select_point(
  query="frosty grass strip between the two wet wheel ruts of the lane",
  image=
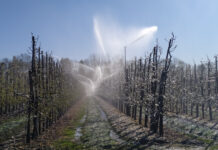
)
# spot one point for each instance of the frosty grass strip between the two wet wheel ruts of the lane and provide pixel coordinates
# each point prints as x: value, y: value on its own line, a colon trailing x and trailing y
x: 97, y: 132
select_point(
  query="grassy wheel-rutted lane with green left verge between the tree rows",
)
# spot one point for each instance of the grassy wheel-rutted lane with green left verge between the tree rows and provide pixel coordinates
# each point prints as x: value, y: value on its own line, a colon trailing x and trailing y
x: 89, y: 129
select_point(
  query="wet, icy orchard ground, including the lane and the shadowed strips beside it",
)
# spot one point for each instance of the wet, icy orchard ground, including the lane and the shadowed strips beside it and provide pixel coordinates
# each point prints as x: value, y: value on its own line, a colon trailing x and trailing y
x: 95, y: 124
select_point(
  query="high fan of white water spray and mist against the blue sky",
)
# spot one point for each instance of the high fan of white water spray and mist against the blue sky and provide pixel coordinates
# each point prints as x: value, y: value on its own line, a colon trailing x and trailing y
x: 111, y: 38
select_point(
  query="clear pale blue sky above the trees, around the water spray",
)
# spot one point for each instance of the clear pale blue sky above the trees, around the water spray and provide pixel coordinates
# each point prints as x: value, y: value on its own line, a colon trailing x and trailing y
x: 66, y: 27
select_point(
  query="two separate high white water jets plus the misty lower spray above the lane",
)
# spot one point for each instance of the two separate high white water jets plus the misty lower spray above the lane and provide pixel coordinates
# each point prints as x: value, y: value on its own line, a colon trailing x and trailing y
x: 92, y: 77
